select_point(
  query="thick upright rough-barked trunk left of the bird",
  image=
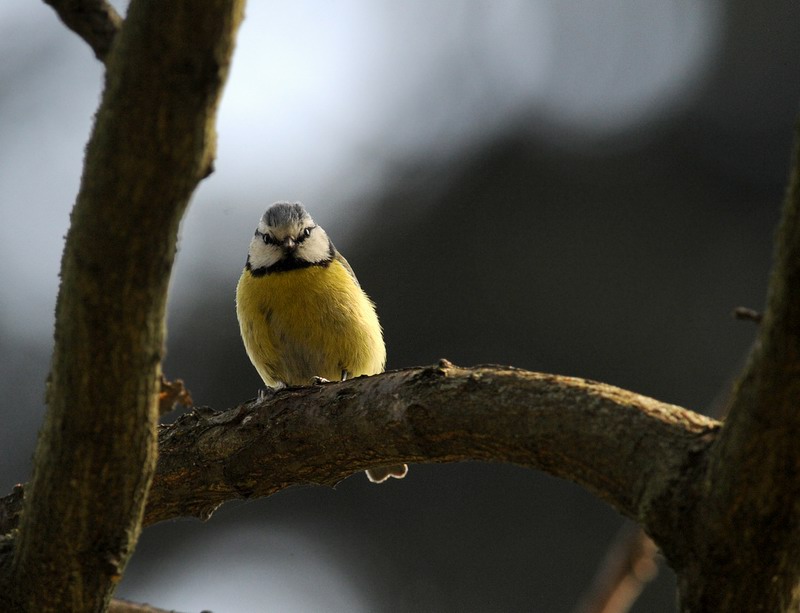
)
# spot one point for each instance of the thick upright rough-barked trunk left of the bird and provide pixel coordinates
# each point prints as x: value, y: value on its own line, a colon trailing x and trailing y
x: 152, y: 142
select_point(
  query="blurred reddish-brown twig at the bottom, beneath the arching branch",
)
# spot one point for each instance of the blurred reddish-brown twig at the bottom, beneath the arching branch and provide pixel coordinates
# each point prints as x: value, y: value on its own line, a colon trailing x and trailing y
x: 630, y: 564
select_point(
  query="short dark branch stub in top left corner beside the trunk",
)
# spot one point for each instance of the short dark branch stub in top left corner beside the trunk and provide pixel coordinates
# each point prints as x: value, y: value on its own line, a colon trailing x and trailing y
x: 95, y: 21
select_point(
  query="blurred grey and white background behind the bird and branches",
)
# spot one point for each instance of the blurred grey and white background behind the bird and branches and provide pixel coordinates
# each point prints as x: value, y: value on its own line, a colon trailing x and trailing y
x: 581, y: 187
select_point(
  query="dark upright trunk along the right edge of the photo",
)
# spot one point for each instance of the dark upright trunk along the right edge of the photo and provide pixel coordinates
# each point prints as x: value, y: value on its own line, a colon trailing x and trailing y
x: 748, y: 501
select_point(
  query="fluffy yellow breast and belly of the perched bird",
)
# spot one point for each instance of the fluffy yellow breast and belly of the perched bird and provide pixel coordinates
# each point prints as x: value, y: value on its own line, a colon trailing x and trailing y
x: 308, y: 322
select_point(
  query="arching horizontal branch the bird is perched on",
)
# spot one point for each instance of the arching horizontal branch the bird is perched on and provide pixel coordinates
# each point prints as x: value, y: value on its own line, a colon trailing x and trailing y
x: 624, y: 447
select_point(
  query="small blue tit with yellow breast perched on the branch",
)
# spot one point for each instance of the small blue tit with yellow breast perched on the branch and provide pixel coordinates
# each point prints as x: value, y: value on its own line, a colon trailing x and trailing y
x: 302, y: 313
